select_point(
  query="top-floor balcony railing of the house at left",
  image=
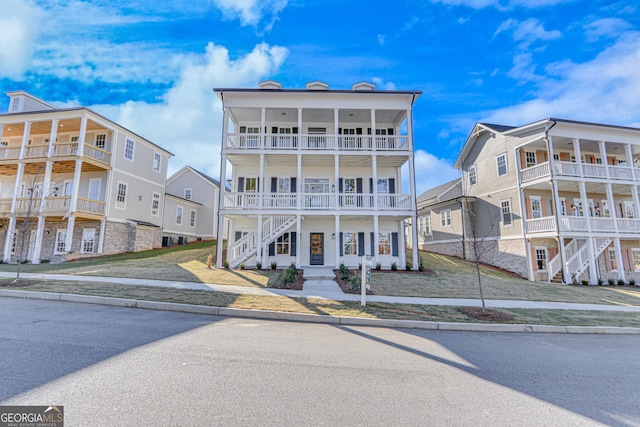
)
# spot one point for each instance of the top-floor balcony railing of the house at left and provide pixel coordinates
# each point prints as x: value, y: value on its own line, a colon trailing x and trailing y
x: 60, y: 151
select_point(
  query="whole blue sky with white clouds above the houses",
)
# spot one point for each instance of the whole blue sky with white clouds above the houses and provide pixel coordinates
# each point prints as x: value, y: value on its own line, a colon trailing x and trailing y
x: 150, y: 65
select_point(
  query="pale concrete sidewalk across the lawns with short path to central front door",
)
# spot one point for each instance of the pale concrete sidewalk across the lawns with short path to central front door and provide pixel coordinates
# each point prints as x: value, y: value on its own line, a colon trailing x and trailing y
x: 320, y: 284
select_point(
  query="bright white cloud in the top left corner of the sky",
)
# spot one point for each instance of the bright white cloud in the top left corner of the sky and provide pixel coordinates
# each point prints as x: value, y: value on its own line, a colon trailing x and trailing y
x: 19, y: 24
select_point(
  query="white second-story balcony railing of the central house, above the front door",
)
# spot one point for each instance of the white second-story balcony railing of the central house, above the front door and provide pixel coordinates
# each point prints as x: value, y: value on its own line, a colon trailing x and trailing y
x: 318, y: 201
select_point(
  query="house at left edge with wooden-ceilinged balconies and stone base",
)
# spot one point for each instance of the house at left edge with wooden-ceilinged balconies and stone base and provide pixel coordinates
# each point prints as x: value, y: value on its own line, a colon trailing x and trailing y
x: 86, y: 185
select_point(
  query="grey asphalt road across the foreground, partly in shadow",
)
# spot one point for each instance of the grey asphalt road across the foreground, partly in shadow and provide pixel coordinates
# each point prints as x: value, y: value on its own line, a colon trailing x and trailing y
x: 113, y: 366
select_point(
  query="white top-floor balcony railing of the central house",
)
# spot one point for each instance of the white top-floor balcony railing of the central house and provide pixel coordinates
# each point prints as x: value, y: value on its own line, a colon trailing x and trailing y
x: 243, y: 141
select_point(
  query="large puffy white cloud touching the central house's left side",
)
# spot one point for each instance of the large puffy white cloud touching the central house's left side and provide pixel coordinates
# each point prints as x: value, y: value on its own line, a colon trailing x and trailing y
x: 188, y: 120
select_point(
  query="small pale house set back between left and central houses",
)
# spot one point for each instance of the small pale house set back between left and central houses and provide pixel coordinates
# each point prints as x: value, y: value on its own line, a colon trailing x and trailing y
x: 191, y: 209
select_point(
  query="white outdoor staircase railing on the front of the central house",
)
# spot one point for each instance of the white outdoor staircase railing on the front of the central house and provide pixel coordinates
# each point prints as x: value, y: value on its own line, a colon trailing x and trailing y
x: 272, y: 228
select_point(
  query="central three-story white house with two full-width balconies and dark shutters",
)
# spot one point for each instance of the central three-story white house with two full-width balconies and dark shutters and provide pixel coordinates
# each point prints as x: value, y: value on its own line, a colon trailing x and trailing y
x: 316, y: 175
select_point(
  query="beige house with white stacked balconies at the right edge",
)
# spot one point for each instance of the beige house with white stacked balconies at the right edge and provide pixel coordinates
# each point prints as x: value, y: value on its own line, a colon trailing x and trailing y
x: 559, y: 198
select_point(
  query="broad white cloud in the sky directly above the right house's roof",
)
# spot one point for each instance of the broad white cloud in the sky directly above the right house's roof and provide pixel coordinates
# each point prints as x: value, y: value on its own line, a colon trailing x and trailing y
x: 605, y: 89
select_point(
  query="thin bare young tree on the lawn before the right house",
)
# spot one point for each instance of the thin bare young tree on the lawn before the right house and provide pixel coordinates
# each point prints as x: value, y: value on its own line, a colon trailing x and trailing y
x: 481, y: 225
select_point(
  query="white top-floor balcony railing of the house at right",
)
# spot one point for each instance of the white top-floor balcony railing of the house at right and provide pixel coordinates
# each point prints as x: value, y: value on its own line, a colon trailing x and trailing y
x: 584, y: 170
